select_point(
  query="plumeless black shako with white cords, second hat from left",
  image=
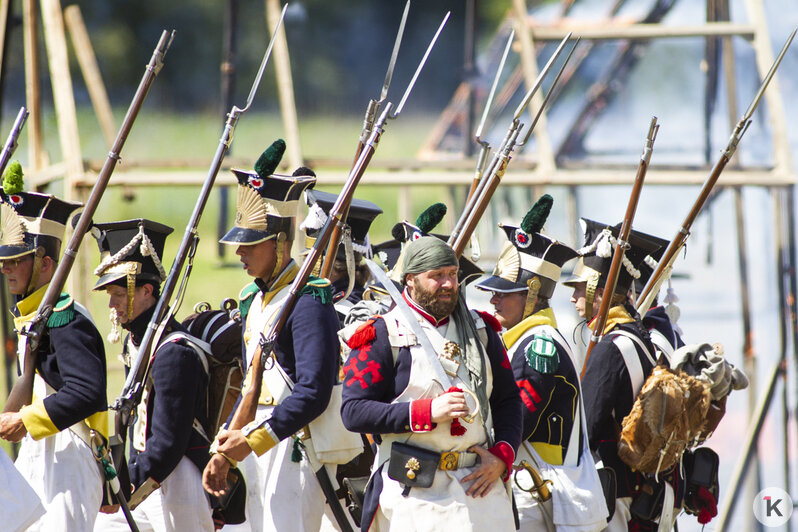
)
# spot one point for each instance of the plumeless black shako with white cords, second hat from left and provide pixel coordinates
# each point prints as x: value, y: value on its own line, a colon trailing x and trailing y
x: 130, y: 251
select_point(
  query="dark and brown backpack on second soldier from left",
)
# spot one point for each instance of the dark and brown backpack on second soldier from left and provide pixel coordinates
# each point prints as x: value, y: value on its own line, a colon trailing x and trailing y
x: 220, y: 330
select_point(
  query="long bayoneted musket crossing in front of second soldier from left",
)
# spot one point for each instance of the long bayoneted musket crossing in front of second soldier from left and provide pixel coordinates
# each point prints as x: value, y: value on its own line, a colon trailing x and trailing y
x: 140, y: 367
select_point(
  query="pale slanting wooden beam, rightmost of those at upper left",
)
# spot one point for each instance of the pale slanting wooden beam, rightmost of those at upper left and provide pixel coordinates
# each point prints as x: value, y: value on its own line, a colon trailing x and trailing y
x: 91, y: 72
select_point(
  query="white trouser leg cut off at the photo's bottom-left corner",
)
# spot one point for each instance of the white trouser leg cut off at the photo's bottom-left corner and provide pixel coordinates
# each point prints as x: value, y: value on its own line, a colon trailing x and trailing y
x: 19, y: 504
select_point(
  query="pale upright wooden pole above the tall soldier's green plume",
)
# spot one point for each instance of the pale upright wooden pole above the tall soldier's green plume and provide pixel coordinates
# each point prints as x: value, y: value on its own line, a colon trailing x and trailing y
x: 285, y: 85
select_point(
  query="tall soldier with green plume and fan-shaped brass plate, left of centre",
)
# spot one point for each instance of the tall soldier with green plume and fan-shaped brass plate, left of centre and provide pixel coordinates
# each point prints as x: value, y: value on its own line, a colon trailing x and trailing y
x: 282, y: 491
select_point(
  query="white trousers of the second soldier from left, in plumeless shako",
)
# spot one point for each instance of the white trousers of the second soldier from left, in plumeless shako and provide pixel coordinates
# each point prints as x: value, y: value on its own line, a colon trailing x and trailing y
x: 179, y: 504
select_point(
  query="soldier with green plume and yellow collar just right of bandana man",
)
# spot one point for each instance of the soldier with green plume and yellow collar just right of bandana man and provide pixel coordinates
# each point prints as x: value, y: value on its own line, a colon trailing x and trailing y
x: 554, y: 437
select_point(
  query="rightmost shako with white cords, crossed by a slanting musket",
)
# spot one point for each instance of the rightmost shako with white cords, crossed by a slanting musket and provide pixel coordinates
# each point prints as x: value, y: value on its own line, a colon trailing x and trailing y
x: 596, y: 255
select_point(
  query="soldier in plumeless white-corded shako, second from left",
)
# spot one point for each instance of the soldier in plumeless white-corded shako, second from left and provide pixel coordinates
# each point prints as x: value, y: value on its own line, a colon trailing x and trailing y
x: 168, y: 437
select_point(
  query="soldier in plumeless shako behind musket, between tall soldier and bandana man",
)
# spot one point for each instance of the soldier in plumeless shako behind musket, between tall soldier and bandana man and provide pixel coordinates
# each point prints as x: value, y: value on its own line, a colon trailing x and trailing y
x: 349, y: 274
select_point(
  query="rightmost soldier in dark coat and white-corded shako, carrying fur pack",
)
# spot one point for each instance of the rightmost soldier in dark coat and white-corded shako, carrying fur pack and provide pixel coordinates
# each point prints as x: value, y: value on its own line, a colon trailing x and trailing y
x: 618, y: 364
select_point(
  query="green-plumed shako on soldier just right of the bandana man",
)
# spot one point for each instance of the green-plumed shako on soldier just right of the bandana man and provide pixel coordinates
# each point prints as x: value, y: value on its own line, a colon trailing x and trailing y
x: 528, y: 254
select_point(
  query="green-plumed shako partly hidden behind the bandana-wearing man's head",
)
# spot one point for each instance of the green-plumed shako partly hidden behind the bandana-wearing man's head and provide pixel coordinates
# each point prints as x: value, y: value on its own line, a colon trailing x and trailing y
x: 390, y: 252
